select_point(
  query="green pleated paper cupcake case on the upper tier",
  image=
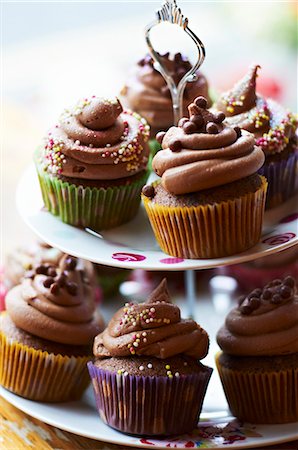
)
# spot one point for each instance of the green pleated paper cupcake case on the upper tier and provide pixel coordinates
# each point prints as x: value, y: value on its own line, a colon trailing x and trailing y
x: 96, y: 208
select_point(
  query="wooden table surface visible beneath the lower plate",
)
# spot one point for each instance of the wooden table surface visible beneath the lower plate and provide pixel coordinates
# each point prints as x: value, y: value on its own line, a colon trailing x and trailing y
x: 18, y: 431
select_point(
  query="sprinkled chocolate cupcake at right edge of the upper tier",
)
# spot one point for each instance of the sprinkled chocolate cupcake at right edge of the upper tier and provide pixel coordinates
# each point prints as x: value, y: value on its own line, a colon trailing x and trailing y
x: 275, y: 132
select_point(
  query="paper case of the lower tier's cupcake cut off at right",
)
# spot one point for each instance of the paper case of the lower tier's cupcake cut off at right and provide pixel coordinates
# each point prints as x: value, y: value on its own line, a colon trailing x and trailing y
x: 269, y: 397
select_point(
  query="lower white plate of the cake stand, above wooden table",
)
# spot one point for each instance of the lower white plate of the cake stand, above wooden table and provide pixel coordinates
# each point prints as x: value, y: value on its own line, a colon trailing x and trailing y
x: 81, y: 418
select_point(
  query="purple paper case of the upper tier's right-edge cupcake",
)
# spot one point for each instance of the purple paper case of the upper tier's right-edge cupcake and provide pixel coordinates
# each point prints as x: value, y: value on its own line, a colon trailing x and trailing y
x: 282, y: 179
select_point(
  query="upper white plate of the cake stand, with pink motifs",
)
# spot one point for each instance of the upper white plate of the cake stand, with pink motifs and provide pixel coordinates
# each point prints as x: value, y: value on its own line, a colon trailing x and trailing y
x: 133, y: 245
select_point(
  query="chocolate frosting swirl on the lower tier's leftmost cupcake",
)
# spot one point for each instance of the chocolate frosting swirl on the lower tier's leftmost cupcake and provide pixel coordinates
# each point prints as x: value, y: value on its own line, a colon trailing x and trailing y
x: 56, y: 303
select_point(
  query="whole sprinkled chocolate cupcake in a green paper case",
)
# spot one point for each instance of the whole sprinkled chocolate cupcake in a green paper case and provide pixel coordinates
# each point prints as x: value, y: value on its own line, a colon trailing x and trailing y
x: 92, y: 166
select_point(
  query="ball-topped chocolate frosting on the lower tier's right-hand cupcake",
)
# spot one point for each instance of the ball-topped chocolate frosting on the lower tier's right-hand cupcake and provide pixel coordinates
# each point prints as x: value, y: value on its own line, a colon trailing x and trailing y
x: 265, y: 322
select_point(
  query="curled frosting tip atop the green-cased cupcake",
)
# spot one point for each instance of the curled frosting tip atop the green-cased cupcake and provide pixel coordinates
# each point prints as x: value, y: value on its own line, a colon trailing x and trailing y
x: 100, y: 113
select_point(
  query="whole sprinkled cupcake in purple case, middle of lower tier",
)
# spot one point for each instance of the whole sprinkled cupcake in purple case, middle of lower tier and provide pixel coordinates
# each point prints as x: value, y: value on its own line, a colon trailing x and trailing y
x: 147, y: 377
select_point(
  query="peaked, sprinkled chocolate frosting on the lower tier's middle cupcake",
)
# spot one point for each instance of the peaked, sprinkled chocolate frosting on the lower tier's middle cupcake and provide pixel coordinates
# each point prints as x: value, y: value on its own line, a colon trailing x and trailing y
x: 153, y: 328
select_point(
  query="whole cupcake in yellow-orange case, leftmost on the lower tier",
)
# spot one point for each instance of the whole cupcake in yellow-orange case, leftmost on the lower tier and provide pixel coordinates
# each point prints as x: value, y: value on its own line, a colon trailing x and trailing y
x: 47, y: 332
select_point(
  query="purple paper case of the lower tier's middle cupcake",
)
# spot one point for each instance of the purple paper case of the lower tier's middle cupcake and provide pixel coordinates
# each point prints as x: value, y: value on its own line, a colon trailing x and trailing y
x: 149, y: 406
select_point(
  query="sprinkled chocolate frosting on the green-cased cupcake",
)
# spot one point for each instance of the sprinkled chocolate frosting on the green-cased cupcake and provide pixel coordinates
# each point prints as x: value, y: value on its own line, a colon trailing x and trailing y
x: 97, y: 140
